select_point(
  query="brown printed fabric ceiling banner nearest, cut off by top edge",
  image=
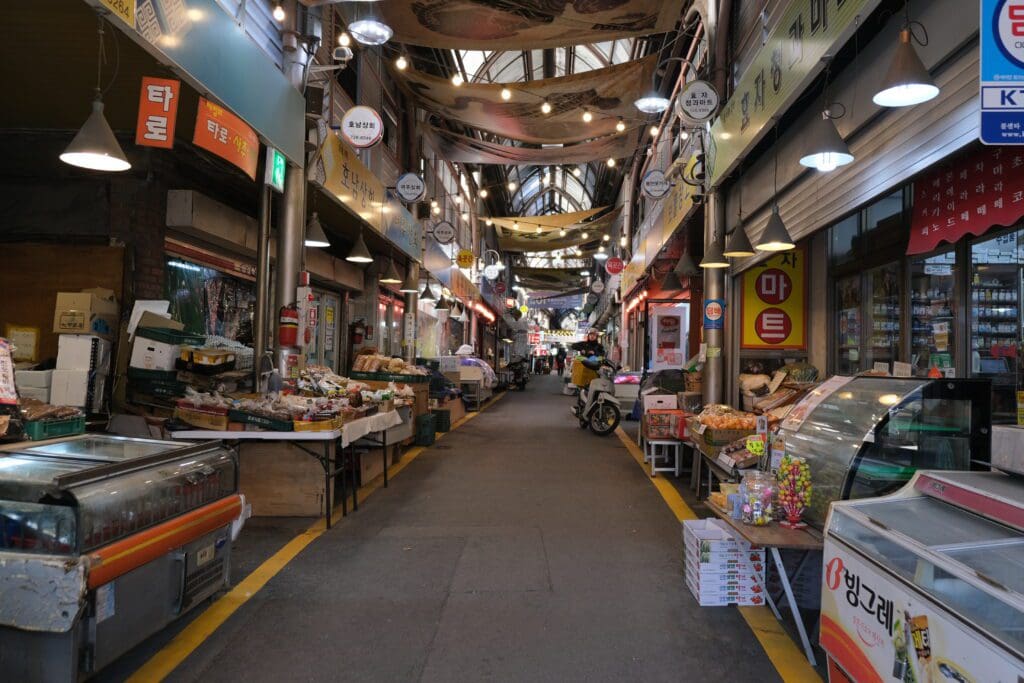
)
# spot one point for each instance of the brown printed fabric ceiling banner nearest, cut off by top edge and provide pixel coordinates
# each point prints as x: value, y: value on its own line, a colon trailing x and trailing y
x: 493, y: 25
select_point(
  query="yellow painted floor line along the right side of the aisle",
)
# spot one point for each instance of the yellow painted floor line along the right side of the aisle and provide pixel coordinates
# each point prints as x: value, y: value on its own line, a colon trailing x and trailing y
x: 788, y: 659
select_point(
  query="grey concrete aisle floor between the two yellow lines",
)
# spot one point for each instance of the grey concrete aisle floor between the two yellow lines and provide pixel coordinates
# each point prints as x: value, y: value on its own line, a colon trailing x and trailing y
x: 520, y: 548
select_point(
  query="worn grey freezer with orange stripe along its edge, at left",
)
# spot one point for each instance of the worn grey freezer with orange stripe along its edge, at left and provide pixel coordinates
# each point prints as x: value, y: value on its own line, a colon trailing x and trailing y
x: 104, y: 541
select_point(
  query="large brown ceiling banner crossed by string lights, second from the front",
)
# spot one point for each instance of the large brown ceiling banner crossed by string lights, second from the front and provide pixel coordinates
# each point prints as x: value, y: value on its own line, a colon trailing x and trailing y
x: 609, y: 94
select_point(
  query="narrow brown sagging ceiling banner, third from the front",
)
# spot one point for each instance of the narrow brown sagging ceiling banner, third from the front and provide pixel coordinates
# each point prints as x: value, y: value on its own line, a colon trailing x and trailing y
x: 462, y: 150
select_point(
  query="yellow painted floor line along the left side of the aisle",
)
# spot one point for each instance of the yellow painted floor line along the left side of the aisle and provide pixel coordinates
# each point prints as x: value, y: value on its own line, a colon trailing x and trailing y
x: 166, y: 661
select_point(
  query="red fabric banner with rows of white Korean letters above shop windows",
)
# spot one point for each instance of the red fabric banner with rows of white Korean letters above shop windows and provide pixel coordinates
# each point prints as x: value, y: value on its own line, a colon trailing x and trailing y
x: 971, y: 195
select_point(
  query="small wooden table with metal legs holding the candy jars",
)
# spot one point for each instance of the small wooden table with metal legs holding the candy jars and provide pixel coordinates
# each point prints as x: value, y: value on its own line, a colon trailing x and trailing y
x: 776, y: 538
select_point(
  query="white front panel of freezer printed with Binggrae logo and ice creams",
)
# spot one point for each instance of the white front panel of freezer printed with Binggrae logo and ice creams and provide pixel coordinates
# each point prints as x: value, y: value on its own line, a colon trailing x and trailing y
x: 879, y: 631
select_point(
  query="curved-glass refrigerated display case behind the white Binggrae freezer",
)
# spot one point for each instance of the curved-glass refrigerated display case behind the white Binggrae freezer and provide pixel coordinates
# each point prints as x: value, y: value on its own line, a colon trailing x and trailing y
x: 867, y: 437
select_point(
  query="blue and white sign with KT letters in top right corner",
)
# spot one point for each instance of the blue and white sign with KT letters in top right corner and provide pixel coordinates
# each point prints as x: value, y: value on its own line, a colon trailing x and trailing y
x: 1002, y: 82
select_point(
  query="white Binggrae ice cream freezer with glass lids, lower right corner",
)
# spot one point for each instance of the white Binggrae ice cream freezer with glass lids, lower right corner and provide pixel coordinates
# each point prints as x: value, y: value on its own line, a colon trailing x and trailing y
x: 927, y: 585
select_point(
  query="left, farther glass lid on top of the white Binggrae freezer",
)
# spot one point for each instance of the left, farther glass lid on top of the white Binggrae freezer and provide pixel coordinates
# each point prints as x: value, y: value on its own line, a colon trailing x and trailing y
x: 932, y: 523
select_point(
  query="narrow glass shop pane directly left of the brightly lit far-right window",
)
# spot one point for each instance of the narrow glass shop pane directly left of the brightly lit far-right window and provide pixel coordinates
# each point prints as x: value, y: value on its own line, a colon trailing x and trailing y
x: 933, y: 313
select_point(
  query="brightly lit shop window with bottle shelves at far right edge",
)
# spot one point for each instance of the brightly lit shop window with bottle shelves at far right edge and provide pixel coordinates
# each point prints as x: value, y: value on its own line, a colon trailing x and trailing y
x: 996, y: 321
